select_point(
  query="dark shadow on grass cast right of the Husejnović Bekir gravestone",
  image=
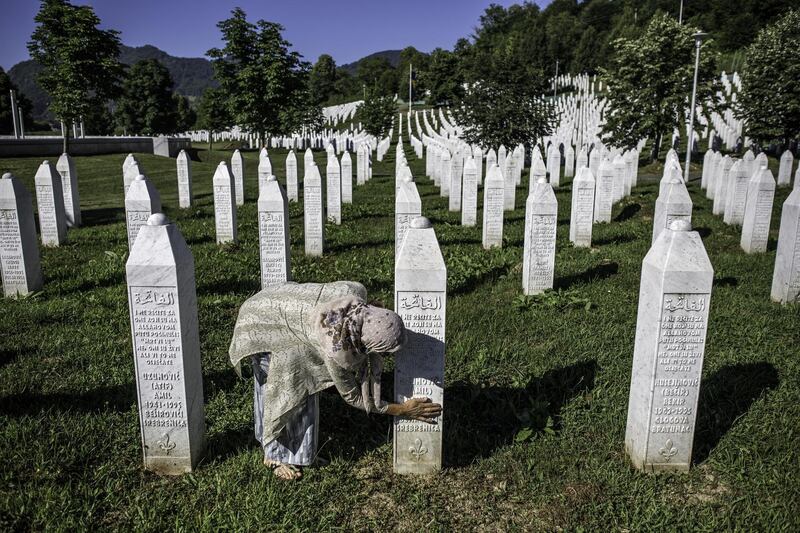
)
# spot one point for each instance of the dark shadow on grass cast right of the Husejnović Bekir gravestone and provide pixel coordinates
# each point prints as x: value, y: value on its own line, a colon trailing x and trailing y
x: 724, y: 397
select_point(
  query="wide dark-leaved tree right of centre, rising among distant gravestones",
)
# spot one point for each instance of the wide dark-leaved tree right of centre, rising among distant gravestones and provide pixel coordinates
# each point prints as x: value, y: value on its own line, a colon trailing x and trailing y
x: 494, y: 114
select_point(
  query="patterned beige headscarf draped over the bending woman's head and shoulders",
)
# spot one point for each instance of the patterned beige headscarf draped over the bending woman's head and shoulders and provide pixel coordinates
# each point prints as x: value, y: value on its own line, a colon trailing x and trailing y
x: 354, y: 335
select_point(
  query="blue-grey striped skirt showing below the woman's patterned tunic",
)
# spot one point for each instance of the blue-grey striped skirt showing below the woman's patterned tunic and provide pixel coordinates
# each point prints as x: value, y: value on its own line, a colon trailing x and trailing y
x: 297, y: 442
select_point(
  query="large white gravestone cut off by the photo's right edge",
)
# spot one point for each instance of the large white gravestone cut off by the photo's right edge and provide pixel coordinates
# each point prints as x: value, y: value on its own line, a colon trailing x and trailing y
x: 786, y: 277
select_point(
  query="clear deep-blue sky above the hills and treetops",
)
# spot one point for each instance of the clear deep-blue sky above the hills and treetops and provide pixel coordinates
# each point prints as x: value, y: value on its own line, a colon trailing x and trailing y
x: 346, y: 29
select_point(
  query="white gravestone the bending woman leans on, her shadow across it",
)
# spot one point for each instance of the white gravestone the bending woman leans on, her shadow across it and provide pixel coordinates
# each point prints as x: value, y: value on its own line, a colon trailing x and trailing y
x: 420, y: 299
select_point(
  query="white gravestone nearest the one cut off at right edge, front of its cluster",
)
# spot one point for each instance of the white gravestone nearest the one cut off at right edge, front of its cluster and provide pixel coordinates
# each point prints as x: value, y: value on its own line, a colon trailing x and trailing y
x: 758, y: 211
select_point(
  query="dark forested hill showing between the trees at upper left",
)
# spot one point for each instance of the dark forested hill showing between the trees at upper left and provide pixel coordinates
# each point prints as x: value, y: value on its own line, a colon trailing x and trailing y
x: 192, y: 75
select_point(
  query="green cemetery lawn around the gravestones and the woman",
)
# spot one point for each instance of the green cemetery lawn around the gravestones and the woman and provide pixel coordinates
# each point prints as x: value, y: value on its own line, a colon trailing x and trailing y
x: 536, y: 388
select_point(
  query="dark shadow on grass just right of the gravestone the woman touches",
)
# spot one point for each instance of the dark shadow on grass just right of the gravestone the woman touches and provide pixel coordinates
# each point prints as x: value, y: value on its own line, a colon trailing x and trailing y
x: 480, y: 419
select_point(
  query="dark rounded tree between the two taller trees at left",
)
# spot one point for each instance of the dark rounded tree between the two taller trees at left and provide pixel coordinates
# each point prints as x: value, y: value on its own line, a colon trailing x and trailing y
x: 147, y: 106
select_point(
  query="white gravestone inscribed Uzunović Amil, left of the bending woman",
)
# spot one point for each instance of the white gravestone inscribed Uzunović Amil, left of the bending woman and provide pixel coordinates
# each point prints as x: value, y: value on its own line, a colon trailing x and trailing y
x: 166, y: 348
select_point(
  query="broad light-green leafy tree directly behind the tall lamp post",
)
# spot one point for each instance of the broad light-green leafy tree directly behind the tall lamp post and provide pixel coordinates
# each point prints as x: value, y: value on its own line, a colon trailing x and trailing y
x: 650, y: 82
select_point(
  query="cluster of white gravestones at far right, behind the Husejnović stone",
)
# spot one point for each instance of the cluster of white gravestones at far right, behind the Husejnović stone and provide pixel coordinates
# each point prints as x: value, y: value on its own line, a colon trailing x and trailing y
x: 743, y: 192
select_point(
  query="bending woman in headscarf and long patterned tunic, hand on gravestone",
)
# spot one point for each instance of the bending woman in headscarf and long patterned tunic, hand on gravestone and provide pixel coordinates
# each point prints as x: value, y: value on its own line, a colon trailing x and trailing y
x: 301, y: 339
